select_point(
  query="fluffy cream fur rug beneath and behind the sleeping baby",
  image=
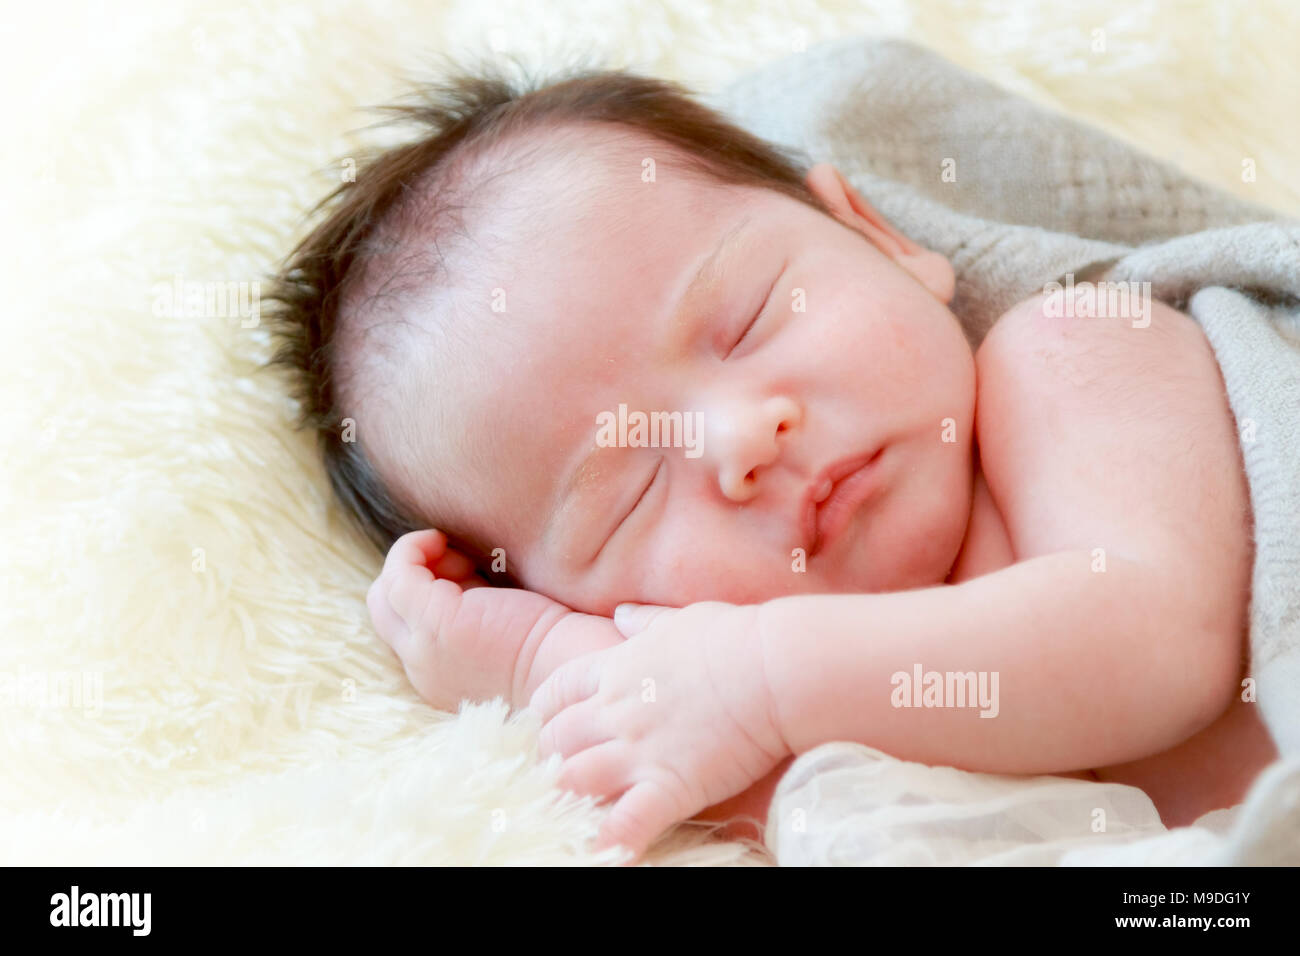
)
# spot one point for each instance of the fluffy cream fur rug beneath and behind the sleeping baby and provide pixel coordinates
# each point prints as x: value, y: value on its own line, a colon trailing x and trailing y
x: 249, y: 713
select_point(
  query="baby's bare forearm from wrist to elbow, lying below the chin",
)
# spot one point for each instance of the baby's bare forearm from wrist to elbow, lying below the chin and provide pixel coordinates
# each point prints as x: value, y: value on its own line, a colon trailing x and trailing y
x: 1091, y: 668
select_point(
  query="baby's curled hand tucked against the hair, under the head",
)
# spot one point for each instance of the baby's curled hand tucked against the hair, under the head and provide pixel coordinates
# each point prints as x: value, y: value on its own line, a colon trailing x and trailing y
x: 456, y: 635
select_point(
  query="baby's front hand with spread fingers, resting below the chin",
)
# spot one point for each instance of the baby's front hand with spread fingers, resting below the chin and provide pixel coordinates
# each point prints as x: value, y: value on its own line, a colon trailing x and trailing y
x: 673, y: 721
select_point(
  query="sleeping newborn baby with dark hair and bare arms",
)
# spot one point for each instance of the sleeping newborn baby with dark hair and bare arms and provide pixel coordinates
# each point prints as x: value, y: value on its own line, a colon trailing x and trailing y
x: 866, y: 496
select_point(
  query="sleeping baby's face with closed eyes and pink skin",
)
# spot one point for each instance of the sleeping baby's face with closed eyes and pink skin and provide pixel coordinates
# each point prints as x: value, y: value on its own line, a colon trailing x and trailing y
x: 786, y: 341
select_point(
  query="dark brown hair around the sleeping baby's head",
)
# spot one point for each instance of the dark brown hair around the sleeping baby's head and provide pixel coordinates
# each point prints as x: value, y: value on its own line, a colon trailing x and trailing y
x: 457, y: 118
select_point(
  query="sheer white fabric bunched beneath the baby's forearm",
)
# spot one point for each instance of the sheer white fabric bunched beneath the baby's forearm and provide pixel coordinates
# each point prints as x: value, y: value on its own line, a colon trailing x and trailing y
x: 850, y: 804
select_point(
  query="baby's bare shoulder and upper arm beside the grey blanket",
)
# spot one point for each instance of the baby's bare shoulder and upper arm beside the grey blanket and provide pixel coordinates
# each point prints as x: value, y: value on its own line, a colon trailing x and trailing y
x: 1106, y: 417
